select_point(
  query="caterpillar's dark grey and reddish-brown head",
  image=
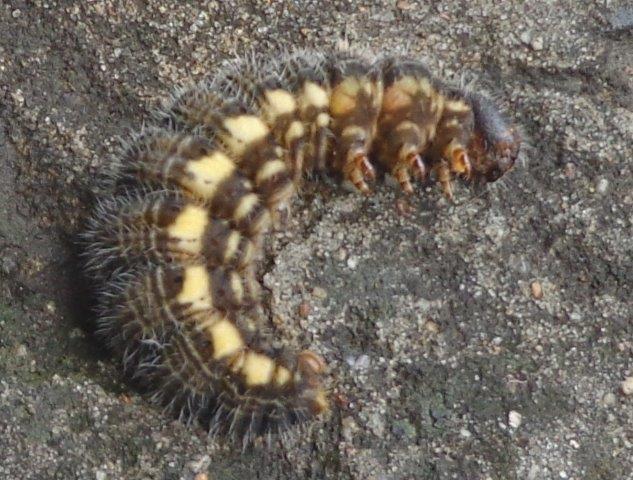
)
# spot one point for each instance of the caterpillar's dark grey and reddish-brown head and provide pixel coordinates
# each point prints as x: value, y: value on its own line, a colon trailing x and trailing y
x: 494, y: 146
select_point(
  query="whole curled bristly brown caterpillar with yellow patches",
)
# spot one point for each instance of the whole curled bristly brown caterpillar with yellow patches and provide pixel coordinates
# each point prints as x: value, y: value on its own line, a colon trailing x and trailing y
x: 174, y: 245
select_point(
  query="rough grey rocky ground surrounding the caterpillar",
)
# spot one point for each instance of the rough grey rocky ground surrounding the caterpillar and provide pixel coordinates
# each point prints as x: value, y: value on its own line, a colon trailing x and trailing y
x: 444, y: 363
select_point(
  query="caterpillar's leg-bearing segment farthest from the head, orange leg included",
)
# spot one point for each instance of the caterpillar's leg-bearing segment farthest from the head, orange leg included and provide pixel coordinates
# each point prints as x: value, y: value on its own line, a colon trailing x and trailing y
x: 355, y: 102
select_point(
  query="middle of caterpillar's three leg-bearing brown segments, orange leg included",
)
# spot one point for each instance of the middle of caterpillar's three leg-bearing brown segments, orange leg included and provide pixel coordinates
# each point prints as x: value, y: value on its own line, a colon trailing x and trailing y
x: 411, y: 109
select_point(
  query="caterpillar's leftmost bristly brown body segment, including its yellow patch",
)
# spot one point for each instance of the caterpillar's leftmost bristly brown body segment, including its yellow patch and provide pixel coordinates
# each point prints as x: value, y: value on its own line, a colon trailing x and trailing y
x: 162, y: 227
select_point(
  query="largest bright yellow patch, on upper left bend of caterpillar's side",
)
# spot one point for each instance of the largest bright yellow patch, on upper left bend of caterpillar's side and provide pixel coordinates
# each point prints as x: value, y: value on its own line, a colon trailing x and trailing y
x: 204, y: 175
